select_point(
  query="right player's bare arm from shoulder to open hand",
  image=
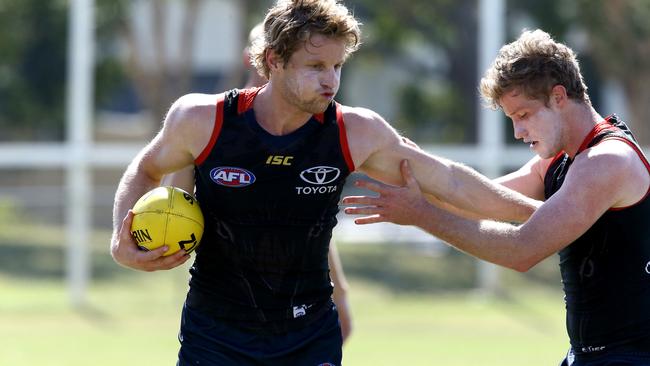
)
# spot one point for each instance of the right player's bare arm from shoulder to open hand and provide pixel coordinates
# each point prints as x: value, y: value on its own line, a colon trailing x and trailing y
x: 598, y: 181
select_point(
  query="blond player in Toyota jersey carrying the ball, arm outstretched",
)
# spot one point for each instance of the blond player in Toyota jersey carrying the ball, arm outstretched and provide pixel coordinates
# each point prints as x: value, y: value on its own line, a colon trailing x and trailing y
x: 270, y: 165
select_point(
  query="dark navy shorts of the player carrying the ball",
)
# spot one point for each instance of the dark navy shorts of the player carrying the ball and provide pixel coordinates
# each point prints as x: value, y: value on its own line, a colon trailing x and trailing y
x: 208, y: 341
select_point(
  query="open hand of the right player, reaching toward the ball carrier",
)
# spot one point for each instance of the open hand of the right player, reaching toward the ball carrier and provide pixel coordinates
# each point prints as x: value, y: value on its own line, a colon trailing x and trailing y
x: 400, y: 205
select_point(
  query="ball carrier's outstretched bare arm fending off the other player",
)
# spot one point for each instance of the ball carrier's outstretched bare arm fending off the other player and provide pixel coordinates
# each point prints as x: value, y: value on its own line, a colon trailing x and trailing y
x: 377, y: 150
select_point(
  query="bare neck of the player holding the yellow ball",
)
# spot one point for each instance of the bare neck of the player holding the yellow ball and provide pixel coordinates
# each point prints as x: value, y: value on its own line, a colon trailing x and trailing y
x: 275, y: 114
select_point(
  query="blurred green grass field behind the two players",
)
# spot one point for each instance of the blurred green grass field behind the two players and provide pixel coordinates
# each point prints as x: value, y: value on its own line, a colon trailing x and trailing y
x: 408, y: 309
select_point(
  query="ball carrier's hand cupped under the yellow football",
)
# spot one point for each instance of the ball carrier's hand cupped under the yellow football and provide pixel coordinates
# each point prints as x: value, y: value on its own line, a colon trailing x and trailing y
x: 125, y: 251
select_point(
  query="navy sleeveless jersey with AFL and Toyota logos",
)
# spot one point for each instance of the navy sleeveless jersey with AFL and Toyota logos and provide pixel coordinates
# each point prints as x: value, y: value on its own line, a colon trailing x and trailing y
x: 270, y: 204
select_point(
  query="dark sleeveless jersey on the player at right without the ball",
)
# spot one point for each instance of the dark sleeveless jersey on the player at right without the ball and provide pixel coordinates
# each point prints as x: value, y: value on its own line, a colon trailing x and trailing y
x: 606, y: 271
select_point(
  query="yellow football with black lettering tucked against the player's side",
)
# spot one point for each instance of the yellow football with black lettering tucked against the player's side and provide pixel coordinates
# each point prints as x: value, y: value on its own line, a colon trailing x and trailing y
x: 167, y: 216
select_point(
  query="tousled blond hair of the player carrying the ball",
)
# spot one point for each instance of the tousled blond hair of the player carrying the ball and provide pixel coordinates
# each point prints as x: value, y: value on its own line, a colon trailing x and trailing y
x: 290, y: 23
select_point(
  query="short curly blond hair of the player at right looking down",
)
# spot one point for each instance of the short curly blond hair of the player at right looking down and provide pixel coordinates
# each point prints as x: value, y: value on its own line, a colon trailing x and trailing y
x: 534, y: 64
